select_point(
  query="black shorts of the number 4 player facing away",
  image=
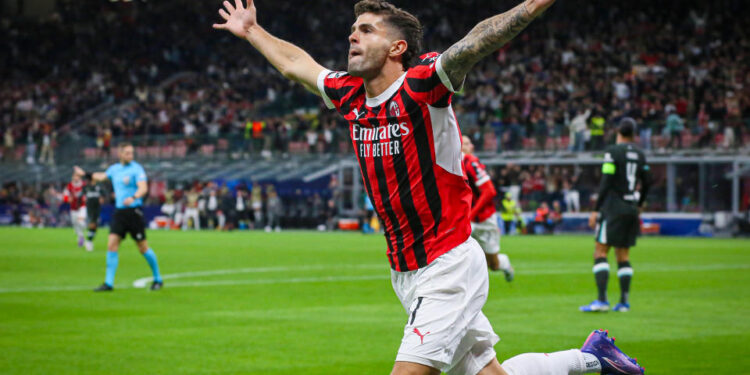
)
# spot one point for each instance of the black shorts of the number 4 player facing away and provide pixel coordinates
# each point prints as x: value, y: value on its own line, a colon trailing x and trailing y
x: 619, y: 228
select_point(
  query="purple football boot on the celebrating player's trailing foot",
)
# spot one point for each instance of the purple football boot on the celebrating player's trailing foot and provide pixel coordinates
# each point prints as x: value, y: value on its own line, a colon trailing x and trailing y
x: 612, y: 359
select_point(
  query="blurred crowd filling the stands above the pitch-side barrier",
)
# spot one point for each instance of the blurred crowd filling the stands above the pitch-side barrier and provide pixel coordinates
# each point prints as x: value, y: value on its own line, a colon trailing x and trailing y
x: 683, y: 74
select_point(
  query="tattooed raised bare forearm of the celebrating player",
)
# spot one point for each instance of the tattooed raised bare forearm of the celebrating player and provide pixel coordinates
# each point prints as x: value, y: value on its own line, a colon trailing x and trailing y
x: 488, y: 36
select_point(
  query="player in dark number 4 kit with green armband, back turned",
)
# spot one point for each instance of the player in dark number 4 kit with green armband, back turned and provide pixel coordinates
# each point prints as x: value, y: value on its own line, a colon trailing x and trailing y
x: 619, y: 202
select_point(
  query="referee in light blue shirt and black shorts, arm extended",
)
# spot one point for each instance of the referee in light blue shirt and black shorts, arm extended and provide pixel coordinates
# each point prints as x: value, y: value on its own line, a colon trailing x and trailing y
x: 130, y: 185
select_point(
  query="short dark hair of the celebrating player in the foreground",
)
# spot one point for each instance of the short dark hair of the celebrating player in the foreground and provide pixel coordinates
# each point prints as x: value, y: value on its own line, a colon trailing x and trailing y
x: 406, y: 24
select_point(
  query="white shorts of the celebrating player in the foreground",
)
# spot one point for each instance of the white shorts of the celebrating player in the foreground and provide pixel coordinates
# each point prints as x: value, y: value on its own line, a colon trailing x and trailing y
x: 446, y: 328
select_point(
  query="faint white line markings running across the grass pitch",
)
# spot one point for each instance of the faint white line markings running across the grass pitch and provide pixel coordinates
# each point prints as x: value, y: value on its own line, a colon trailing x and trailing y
x: 143, y: 282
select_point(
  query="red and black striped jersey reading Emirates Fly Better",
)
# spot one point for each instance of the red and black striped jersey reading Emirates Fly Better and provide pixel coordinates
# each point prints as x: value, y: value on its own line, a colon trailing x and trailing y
x: 408, y: 145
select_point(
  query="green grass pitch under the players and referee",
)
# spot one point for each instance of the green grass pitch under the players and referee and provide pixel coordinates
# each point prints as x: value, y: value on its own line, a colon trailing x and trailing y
x: 321, y: 303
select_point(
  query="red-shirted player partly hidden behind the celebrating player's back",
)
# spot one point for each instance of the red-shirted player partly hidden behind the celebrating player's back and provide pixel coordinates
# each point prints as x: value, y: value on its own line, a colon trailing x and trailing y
x: 483, y: 216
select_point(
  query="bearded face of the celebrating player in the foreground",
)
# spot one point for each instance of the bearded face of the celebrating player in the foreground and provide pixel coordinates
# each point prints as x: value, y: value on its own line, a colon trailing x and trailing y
x: 369, y: 44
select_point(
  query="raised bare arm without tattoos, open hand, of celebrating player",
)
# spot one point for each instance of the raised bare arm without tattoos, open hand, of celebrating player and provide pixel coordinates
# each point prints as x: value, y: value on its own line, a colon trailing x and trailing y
x: 293, y: 62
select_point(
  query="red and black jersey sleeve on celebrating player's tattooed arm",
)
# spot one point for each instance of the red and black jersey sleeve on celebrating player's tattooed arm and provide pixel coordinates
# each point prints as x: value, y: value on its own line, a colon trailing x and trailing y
x: 428, y: 82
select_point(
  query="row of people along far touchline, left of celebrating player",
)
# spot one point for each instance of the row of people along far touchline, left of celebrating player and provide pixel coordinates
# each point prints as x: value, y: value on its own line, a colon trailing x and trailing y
x: 196, y: 205
